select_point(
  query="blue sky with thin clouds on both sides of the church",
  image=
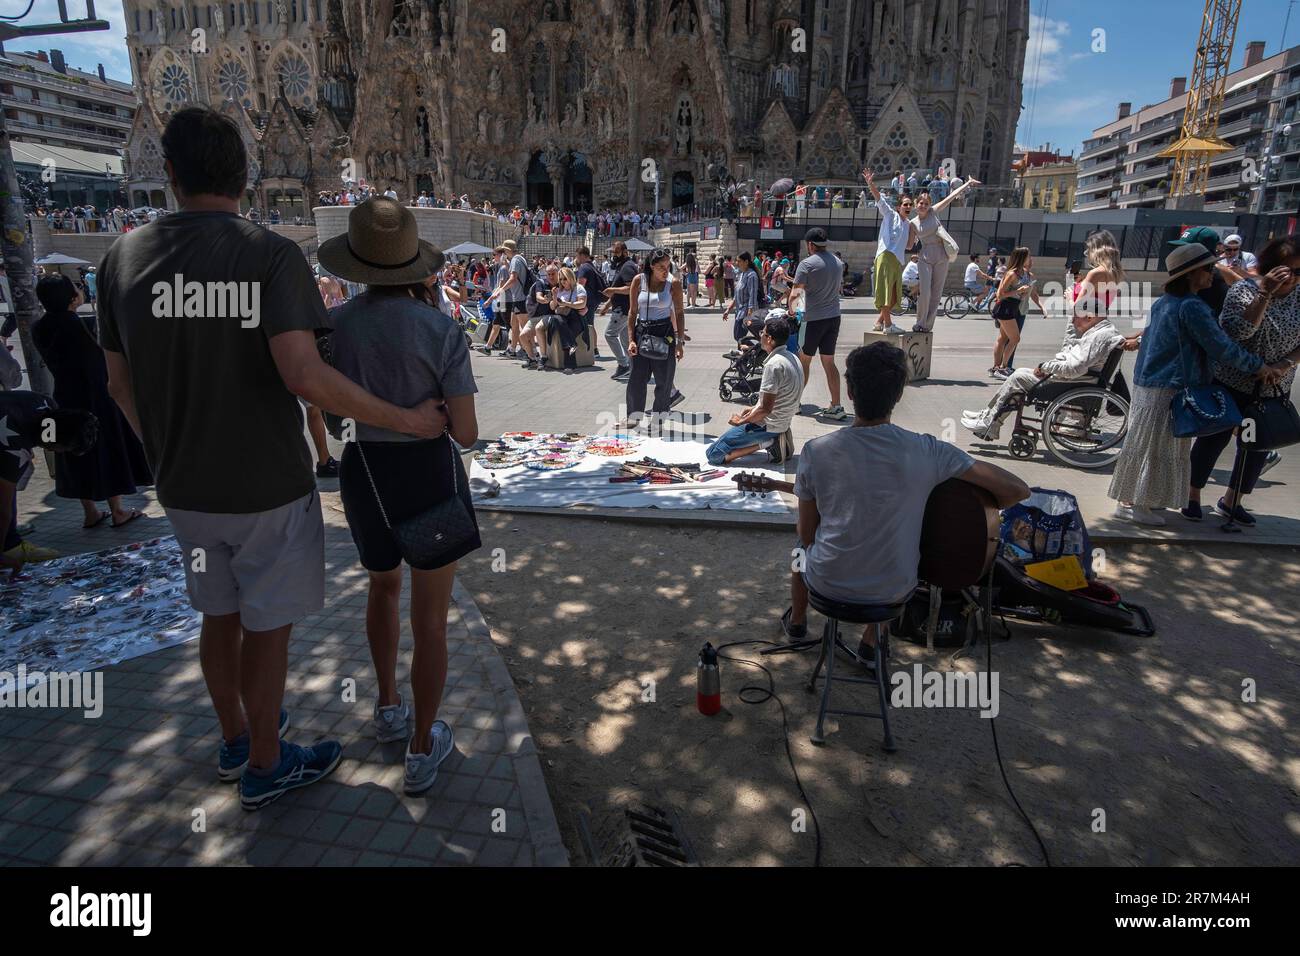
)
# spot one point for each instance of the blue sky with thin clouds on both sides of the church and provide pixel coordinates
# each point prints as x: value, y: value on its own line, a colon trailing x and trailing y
x: 1069, y: 90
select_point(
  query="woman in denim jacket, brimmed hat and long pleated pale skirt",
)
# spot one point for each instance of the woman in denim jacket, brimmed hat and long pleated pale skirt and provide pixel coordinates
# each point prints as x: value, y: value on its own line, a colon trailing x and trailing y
x: 1178, y: 349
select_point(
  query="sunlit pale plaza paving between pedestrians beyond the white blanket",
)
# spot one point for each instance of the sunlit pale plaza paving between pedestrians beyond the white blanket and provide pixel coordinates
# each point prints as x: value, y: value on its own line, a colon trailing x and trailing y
x: 587, y: 401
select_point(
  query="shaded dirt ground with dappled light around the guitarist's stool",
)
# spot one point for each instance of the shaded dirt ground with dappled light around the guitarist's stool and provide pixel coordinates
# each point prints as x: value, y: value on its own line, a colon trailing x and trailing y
x: 1150, y: 730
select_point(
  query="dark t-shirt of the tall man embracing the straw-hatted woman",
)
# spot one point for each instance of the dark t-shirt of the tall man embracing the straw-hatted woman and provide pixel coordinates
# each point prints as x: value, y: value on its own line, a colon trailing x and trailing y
x: 179, y: 300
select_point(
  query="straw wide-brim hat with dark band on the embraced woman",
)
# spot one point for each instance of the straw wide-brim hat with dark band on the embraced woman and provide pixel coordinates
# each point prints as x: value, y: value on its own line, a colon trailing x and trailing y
x: 382, y: 246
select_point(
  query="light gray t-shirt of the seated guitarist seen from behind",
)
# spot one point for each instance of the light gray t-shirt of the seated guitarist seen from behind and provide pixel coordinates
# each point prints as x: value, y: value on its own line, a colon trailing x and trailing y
x: 872, y: 487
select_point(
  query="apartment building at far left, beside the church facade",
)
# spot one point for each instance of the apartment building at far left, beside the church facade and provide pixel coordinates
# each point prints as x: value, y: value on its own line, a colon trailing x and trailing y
x: 49, y: 103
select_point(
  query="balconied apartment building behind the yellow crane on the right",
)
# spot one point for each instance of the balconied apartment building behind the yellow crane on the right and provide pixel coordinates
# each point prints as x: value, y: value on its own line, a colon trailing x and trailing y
x: 1120, y: 166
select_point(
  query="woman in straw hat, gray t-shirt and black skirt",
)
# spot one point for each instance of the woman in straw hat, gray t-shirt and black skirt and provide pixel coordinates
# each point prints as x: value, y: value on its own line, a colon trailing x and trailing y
x: 395, y: 341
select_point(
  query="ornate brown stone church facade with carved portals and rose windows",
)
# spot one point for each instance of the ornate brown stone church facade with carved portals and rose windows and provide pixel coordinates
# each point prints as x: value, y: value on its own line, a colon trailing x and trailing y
x: 579, y: 103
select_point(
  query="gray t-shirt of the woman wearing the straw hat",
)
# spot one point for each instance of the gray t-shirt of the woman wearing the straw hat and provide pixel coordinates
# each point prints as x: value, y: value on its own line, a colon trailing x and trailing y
x: 400, y: 351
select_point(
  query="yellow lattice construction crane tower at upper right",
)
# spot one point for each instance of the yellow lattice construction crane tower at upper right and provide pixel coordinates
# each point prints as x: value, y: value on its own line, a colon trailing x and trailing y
x: 1199, y: 139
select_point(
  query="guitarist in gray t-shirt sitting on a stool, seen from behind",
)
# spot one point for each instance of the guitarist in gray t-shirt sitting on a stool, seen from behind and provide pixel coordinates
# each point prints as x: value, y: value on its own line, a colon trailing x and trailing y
x: 863, y: 495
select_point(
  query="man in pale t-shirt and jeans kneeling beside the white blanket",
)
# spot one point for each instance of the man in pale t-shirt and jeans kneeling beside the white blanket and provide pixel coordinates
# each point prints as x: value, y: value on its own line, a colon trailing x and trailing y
x: 768, y: 423
